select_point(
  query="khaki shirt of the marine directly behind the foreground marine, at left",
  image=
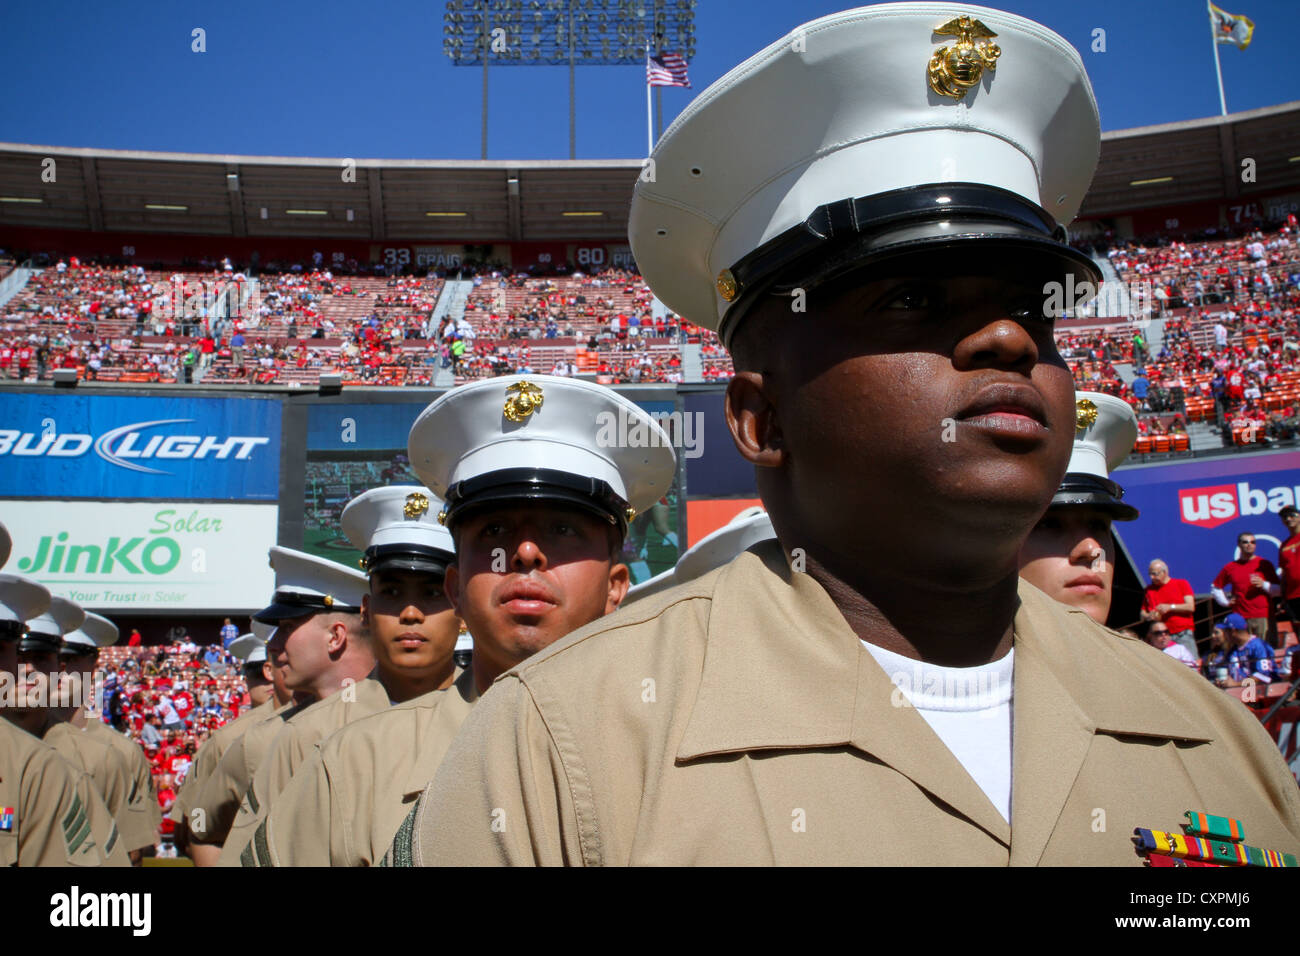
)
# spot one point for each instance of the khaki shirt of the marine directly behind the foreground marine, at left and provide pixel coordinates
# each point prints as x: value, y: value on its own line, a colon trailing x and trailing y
x: 350, y: 797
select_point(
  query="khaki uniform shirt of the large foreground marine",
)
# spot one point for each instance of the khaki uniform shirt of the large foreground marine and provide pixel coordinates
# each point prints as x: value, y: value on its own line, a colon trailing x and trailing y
x: 738, y: 720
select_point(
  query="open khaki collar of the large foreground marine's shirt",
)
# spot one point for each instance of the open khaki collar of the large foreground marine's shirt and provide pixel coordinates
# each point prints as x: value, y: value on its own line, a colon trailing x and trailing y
x: 785, y: 671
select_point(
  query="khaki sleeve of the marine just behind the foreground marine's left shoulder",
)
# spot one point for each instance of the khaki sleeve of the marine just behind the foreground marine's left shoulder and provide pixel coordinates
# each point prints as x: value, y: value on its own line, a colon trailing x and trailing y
x: 300, y: 829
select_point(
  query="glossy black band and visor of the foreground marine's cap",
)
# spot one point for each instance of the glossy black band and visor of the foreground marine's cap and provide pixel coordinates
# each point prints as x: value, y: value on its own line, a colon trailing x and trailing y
x: 851, y: 233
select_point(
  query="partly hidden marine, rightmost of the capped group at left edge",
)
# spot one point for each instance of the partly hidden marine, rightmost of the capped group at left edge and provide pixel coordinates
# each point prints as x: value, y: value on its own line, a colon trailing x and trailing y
x: 141, y: 816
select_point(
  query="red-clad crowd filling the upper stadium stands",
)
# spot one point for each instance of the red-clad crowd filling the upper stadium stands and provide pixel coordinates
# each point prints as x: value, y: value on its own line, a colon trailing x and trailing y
x: 1230, y: 310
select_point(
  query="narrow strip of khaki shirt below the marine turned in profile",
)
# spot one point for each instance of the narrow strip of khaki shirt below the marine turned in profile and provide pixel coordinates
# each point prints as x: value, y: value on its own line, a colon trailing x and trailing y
x: 291, y: 749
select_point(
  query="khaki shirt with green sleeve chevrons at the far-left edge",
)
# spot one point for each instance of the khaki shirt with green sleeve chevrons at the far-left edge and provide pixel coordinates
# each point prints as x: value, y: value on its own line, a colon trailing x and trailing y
x: 53, y: 815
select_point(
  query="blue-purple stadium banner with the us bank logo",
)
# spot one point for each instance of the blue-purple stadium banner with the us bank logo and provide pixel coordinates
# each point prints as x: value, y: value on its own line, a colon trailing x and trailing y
x: 1193, y: 513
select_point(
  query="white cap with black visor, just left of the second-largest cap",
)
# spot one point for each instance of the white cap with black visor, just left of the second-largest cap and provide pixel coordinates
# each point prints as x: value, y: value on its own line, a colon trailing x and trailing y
x: 397, y: 527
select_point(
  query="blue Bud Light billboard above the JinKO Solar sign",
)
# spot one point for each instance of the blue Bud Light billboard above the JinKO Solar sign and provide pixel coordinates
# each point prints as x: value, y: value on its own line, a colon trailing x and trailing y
x: 107, y: 447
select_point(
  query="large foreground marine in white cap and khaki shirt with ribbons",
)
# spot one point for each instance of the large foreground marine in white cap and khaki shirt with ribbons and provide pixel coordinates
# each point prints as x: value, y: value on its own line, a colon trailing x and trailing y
x: 879, y: 274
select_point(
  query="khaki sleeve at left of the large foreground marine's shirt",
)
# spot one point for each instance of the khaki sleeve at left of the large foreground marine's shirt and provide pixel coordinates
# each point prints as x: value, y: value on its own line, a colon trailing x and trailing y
x: 502, y: 797
